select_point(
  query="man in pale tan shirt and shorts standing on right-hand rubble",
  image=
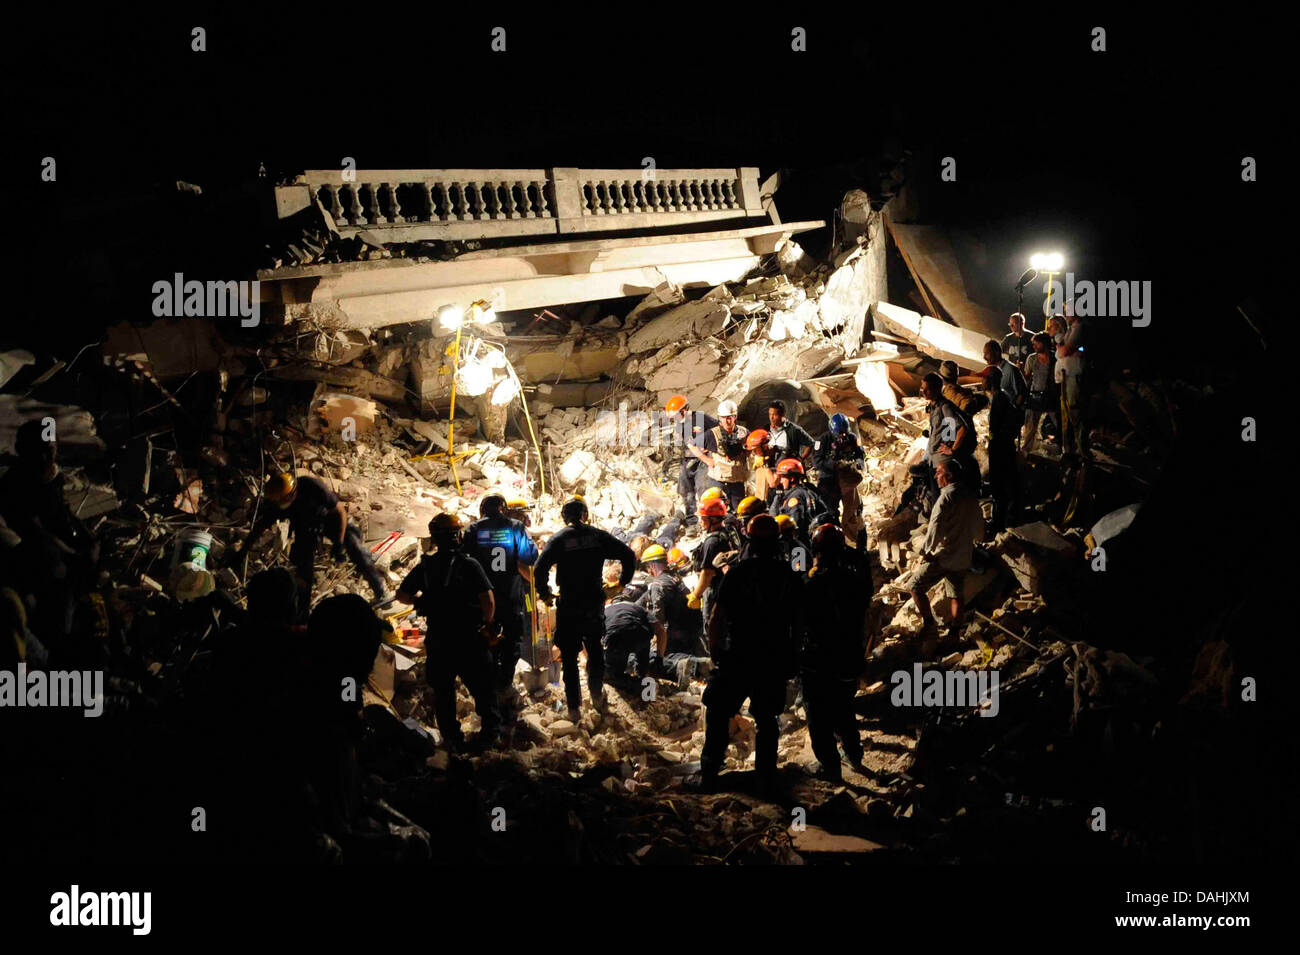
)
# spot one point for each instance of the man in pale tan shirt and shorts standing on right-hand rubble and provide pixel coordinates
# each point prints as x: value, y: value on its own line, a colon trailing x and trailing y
x: 956, y: 523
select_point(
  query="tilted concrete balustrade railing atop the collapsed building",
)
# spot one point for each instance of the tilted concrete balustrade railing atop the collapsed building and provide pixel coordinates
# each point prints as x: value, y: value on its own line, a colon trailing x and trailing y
x: 411, y: 205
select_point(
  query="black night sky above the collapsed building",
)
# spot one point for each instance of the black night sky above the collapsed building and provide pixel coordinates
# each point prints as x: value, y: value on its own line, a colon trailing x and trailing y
x: 1128, y: 162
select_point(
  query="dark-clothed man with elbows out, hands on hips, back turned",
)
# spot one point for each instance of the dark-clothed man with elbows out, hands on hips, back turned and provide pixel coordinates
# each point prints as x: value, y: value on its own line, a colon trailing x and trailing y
x: 578, y: 553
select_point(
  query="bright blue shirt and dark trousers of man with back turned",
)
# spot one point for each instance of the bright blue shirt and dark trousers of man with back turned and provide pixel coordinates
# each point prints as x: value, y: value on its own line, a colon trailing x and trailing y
x: 501, y: 545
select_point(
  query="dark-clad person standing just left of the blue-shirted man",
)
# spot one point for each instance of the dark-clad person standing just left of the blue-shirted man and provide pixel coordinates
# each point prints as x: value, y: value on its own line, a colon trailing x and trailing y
x: 454, y: 594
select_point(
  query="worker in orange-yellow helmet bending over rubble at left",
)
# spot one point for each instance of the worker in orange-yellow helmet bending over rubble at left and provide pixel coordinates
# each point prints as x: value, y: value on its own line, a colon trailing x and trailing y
x: 314, y: 510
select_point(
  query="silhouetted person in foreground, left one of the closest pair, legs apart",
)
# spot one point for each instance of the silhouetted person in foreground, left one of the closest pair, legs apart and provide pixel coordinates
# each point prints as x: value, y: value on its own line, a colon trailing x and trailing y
x: 751, y: 637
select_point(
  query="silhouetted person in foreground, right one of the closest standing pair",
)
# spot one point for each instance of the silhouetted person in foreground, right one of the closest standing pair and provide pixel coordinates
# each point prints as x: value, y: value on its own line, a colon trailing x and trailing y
x: 831, y: 631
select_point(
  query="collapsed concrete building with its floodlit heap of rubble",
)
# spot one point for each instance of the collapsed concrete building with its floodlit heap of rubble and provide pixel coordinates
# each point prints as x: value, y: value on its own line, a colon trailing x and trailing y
x: 604, y: 294
